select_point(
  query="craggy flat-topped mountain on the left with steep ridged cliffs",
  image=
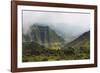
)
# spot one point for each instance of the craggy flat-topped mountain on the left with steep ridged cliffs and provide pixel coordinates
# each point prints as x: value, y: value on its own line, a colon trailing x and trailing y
x: 44, y: 36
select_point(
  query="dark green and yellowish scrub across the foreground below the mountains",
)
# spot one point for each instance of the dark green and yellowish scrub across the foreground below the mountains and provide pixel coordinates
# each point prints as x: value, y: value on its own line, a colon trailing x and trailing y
x: 39, y: 53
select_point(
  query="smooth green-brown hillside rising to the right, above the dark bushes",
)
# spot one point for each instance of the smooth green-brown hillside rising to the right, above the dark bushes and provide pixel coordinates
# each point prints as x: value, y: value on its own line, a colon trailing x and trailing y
x: 82, y: 41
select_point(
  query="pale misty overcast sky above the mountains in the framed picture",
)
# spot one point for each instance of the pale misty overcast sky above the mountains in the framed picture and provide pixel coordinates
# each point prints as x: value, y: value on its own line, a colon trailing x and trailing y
x: 69, y: 25
